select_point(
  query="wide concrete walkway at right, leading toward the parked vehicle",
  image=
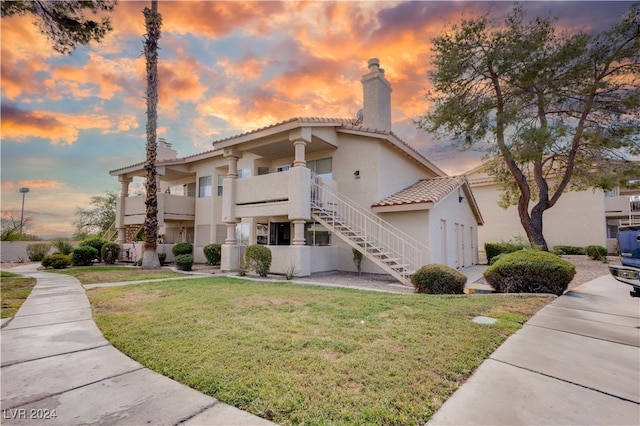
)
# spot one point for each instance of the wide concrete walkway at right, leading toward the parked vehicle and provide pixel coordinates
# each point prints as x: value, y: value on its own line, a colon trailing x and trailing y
x: 576, y: 362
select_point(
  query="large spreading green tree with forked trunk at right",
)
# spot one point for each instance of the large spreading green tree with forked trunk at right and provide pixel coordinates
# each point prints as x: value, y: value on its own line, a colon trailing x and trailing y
x: 558, y: 111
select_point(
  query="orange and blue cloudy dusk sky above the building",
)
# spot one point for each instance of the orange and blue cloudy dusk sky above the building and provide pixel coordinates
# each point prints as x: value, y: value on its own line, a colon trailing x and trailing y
x: 225, y: 68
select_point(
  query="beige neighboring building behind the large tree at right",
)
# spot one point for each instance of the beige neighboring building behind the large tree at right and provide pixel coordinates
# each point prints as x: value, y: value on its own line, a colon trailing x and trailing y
x: 580, y: 218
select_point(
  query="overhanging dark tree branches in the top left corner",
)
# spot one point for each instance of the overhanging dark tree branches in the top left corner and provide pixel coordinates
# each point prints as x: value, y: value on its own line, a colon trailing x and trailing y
x: 65, y: 22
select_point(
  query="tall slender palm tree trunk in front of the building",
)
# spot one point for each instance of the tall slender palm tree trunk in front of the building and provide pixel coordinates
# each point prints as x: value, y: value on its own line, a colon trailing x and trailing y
x: 153, y: 21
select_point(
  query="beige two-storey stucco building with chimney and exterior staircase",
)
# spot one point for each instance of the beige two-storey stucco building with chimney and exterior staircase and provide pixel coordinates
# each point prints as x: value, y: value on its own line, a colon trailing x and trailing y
x: 312, y: 189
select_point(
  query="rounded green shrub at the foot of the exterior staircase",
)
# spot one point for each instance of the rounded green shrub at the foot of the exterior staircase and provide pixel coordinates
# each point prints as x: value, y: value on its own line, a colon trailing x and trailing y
x: 438, y: 279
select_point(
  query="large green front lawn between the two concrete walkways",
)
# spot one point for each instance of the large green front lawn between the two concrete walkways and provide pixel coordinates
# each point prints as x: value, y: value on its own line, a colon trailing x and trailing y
x: 309, y: 355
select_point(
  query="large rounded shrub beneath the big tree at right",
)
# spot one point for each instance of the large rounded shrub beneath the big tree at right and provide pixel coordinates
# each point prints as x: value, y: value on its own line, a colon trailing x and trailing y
x: 530, y: 271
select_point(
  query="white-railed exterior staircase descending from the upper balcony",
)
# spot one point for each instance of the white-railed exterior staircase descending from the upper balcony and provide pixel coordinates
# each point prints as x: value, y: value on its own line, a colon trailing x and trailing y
x: 397, y: 253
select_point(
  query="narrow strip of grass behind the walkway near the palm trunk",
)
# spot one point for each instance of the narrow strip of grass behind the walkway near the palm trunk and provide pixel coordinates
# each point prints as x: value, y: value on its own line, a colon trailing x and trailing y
x: 114, y: 274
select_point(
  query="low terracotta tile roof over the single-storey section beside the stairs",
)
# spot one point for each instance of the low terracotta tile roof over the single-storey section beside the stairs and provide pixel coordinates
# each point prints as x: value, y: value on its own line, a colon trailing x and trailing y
x: 423, y: 191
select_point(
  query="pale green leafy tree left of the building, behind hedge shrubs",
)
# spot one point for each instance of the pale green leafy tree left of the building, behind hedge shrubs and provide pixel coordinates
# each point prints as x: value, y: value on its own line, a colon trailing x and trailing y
x: 97, y: 219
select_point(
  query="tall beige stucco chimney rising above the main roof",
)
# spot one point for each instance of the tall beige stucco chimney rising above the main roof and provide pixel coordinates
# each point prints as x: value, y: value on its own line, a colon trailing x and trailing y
x: 376, y: 98
